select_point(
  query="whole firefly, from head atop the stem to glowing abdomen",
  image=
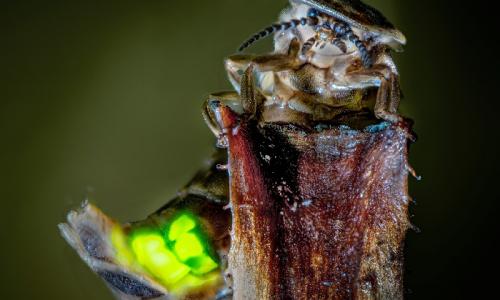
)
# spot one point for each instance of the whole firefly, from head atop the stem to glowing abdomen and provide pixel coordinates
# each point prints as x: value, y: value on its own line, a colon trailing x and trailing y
x: 331, y: 65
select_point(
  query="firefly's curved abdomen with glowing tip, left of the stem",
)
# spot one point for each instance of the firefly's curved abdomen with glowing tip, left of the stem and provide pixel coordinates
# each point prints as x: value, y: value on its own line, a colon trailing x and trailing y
x: 179, y: 251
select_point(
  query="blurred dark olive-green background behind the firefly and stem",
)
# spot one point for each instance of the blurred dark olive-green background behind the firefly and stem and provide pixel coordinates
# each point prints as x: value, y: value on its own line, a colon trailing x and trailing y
x: 101, y: 100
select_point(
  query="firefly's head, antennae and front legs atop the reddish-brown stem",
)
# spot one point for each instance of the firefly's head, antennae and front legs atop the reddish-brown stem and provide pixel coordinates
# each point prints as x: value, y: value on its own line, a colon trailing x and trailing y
x: 331, y: 57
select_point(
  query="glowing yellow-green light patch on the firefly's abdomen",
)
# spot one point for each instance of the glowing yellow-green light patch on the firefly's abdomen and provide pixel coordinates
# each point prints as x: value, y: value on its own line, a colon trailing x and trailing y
x: 179, y: 255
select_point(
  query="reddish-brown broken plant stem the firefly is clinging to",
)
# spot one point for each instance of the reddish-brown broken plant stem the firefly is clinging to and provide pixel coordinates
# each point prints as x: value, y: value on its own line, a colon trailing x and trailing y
x: 316, y: 214
